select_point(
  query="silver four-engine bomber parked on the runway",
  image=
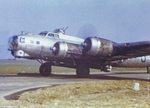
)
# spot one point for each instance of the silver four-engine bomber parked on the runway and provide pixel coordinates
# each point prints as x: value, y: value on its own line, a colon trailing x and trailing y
x: 58, y: 49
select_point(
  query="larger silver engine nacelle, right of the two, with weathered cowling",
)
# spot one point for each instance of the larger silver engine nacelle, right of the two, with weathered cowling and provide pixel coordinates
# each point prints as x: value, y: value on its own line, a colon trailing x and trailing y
x: 98, y: 46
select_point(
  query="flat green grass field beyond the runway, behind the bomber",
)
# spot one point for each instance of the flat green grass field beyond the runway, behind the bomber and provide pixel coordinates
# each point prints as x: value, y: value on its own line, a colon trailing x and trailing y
x: 32, y: 66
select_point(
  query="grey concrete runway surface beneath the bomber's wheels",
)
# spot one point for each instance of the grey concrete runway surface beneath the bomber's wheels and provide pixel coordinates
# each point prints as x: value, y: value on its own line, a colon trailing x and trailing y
x: 10, y: 84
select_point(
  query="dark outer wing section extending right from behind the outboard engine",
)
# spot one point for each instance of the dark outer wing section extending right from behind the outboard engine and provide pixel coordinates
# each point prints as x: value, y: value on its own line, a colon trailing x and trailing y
x: 130, y: 50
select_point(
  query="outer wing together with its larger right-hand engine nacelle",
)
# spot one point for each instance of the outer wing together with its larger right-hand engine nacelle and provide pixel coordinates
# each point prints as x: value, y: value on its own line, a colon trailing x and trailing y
x: 108, y: 50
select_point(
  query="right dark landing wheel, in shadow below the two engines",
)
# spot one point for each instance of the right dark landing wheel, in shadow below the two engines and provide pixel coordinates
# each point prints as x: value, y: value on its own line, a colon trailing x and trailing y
x: 82, y: 71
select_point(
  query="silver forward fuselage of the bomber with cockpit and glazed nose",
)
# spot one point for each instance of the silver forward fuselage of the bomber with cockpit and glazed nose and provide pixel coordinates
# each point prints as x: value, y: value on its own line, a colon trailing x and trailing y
x: 34, y: 46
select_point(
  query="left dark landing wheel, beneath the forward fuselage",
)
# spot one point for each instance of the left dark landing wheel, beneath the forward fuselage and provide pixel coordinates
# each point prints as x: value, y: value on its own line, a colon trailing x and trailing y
x: 45, y: 69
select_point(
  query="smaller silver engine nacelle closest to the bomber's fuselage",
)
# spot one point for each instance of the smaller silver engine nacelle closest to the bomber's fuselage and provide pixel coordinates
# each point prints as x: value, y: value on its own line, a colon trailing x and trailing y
x: 67, y: 50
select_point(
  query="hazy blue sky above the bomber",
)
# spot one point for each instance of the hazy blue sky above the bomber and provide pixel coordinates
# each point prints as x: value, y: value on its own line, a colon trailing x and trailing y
x: 116, y: 20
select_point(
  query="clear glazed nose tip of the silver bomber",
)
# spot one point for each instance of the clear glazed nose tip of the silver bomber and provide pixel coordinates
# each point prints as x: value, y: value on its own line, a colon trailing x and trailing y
x: 13, y: 43
